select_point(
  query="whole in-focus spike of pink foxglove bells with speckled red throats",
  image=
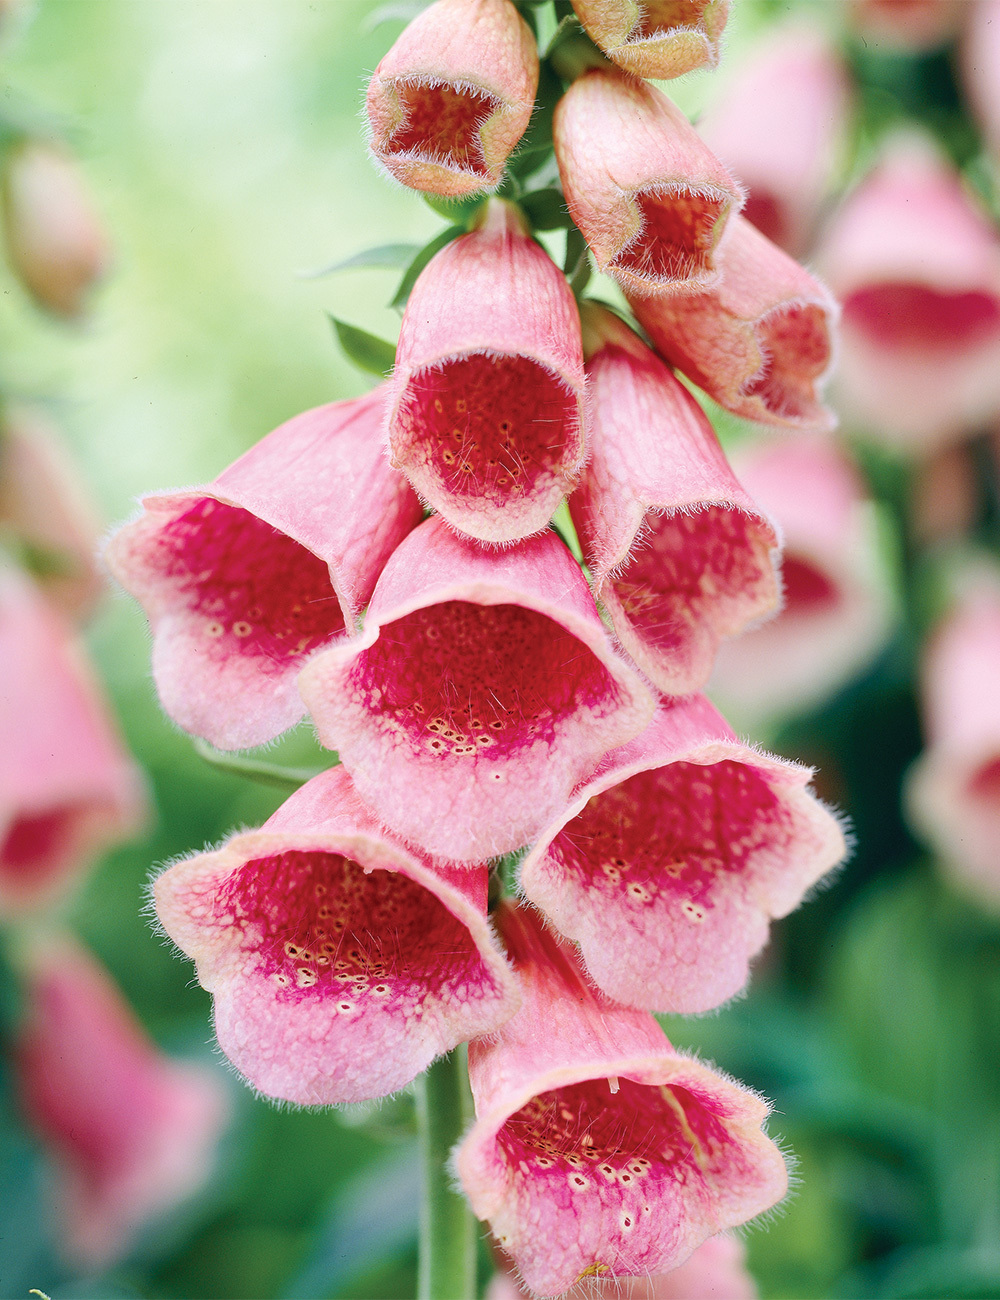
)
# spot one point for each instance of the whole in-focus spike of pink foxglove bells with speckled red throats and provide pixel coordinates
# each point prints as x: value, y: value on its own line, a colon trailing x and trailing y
x: 480, y: 704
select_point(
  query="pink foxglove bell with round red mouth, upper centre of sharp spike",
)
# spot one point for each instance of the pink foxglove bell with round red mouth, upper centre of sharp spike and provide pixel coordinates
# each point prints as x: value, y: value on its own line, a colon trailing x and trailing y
x: 487, y: 400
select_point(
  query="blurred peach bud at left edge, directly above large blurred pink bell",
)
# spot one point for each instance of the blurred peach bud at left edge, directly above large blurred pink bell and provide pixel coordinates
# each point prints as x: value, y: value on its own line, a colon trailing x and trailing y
x: 46, y: 509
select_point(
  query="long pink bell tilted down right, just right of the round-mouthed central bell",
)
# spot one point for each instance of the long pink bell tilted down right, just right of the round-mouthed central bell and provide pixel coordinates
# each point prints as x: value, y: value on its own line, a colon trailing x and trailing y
x: 678, y: 552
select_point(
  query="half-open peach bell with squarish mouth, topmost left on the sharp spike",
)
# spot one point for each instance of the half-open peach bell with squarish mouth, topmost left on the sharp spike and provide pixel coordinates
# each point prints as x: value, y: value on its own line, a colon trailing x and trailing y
x: 453, y: 97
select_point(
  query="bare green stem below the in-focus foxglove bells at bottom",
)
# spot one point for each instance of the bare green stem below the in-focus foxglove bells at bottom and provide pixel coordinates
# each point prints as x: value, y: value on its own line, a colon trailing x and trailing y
x: 448, y: 1230
